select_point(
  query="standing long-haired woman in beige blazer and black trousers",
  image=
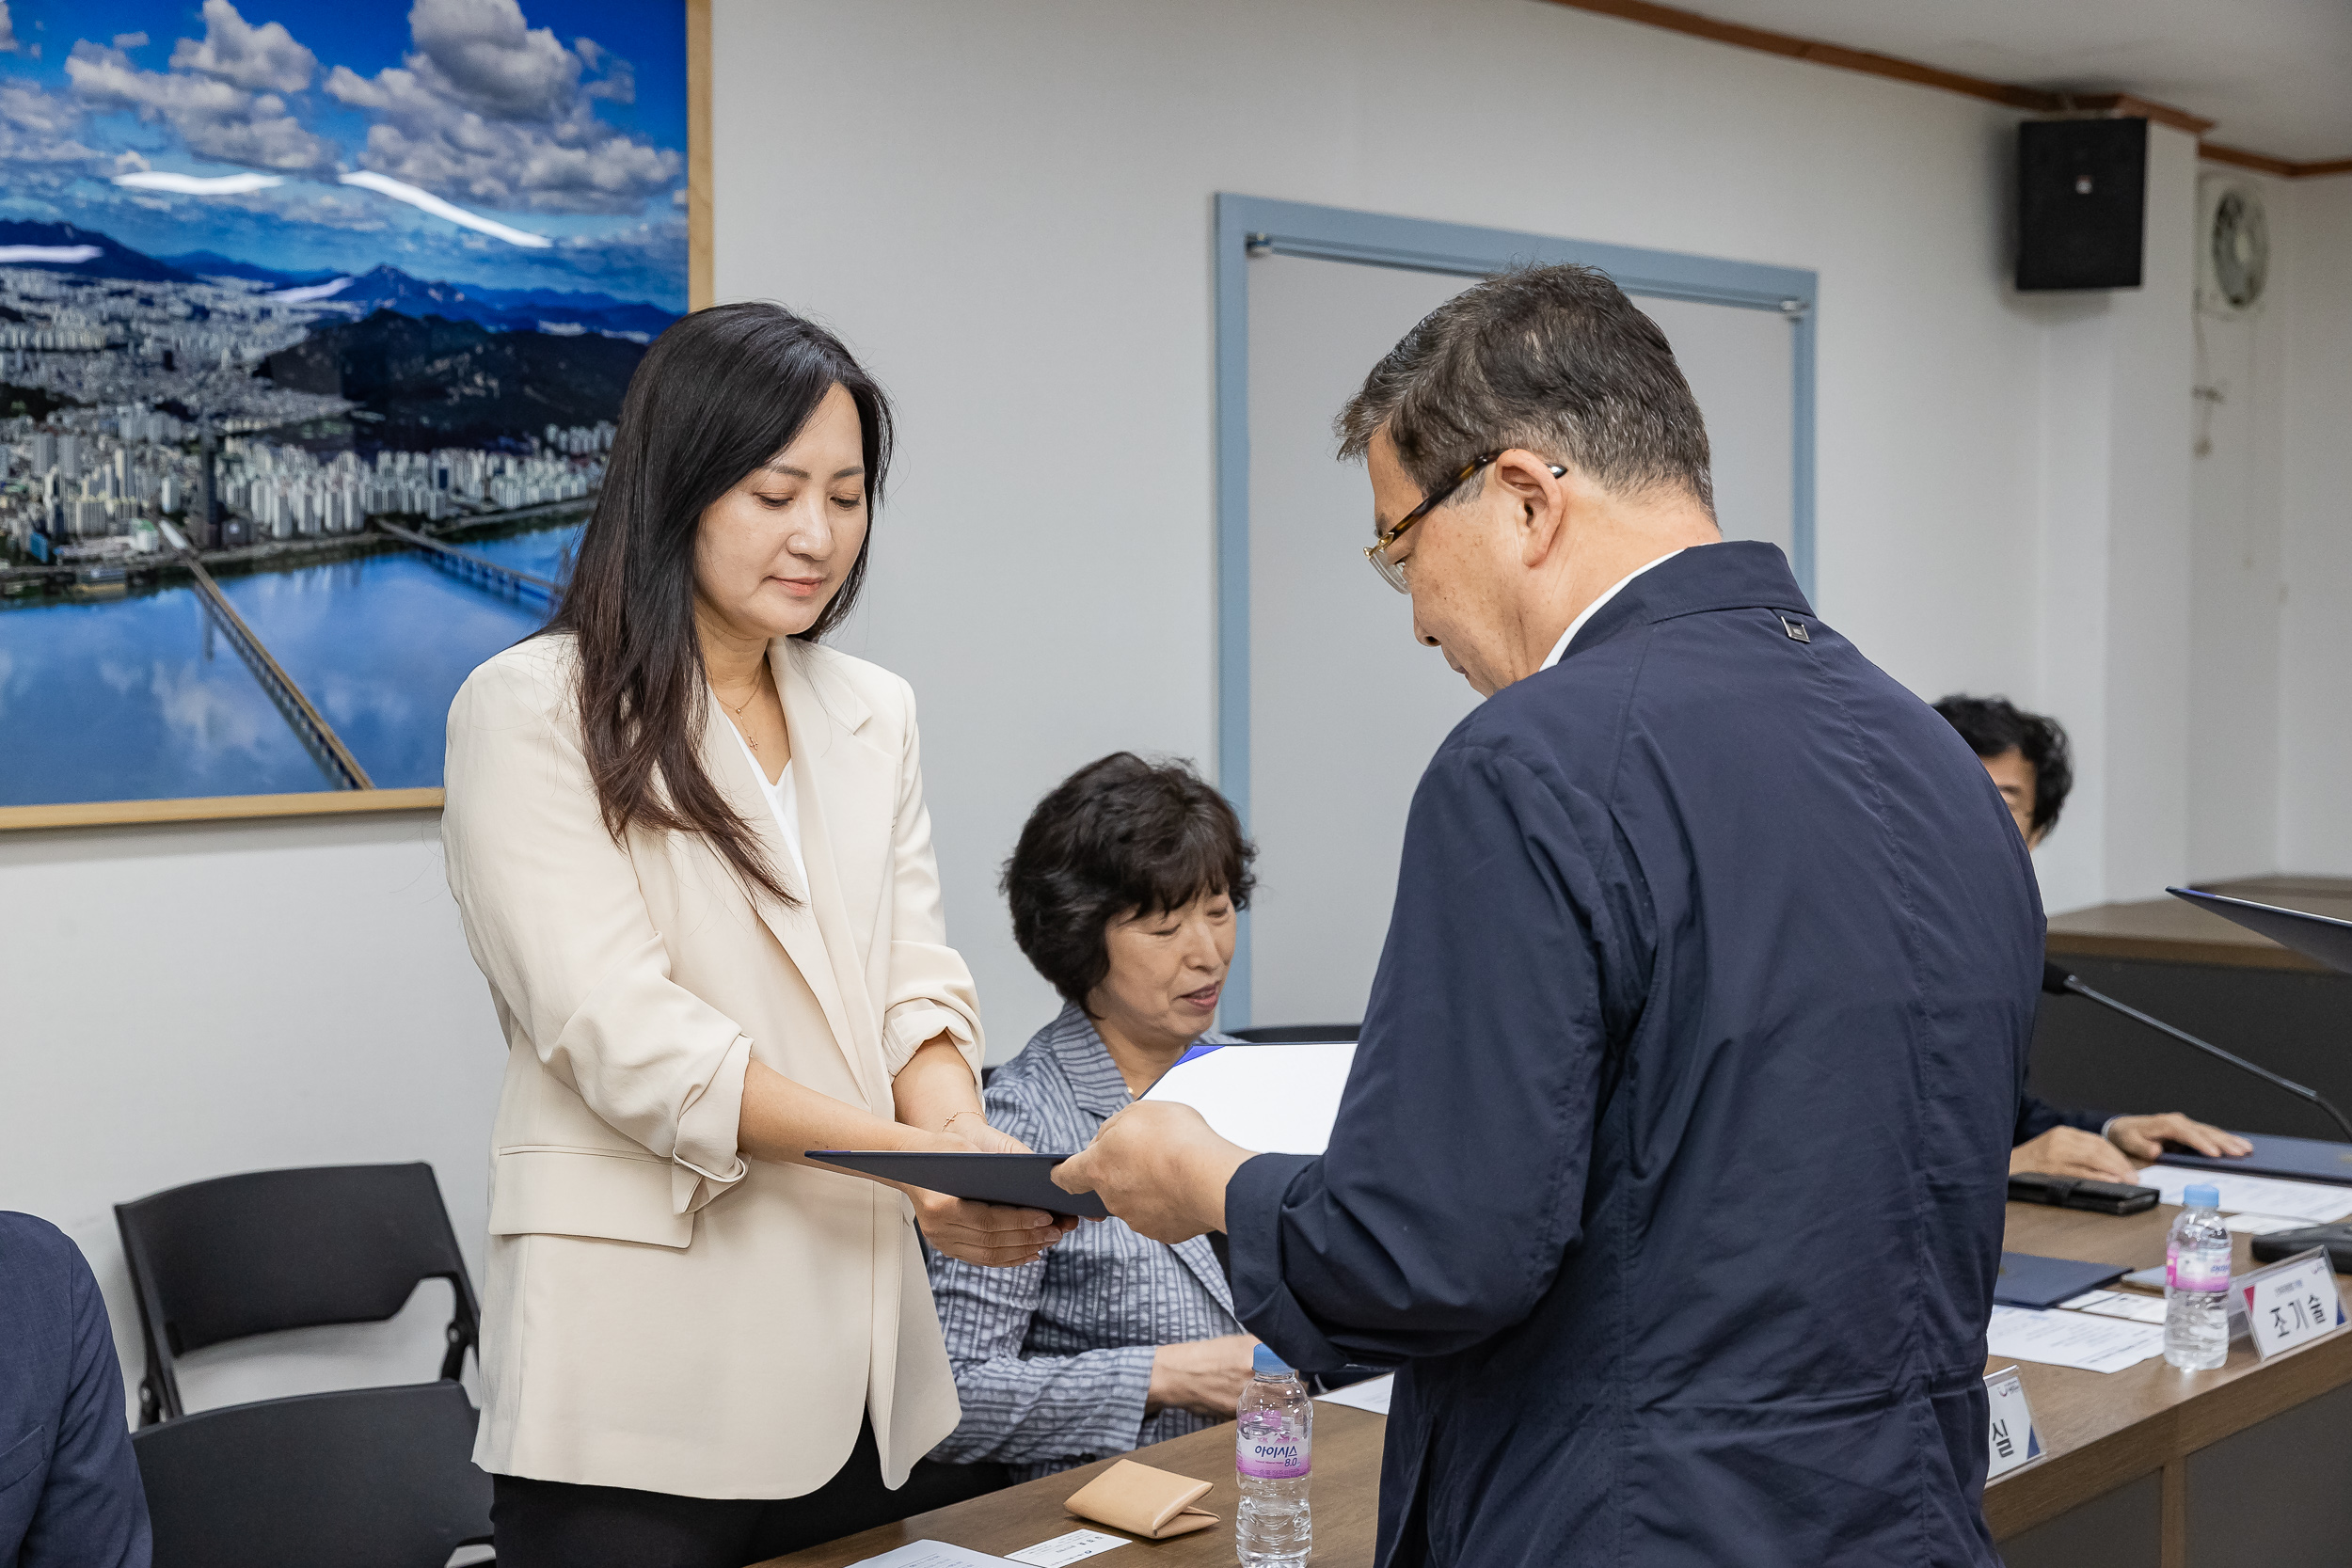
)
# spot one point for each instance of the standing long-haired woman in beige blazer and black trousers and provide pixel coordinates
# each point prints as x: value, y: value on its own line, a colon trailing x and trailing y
x: 697, y: 871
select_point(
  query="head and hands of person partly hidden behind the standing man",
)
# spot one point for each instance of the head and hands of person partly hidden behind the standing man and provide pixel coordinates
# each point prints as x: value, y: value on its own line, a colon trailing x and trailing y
x: 2026, y: 753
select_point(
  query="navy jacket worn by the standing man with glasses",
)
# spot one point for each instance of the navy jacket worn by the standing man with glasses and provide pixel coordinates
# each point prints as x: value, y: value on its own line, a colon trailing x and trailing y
x: 1676, y: 1146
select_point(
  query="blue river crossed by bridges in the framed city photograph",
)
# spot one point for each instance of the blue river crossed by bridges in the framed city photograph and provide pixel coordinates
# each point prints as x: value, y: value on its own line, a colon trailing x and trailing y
x: 145, y: 697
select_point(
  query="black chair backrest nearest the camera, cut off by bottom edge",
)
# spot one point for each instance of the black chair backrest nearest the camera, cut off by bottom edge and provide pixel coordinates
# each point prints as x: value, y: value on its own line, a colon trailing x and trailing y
x: 356, y: 1477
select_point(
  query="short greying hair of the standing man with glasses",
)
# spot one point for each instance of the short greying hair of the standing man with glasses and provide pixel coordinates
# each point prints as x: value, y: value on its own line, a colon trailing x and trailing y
x: 1549, y: 359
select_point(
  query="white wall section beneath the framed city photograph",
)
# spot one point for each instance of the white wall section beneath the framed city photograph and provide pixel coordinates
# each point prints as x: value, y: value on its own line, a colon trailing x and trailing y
x: 189, y: 1003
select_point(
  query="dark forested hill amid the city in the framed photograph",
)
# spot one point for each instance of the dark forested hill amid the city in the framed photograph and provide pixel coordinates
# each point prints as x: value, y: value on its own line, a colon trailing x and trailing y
x: 439, y: 382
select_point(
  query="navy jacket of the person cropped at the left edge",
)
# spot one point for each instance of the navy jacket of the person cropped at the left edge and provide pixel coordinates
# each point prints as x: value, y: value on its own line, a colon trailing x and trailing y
x: 69, y: 1485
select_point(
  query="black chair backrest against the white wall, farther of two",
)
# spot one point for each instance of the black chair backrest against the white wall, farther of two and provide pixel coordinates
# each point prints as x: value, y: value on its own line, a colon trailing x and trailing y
x: 286, y: 1249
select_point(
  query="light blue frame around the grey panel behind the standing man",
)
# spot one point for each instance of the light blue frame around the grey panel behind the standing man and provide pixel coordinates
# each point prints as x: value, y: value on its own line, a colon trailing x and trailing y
x: 1250, y: 225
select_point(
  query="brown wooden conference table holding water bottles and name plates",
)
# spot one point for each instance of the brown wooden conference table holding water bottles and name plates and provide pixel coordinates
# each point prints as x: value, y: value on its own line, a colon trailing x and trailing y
x: 2111, y: 1442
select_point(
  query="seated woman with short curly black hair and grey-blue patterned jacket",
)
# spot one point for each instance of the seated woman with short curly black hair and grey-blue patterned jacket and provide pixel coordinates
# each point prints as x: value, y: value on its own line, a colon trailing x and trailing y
x: 1123, y: 887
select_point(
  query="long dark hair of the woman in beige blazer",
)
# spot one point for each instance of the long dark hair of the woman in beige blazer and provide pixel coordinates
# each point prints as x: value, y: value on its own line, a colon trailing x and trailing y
x: 716, y: 396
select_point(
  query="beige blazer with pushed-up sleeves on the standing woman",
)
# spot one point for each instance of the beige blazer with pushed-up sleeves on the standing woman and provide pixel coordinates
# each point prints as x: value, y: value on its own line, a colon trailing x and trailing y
x: 662, y: 1313
